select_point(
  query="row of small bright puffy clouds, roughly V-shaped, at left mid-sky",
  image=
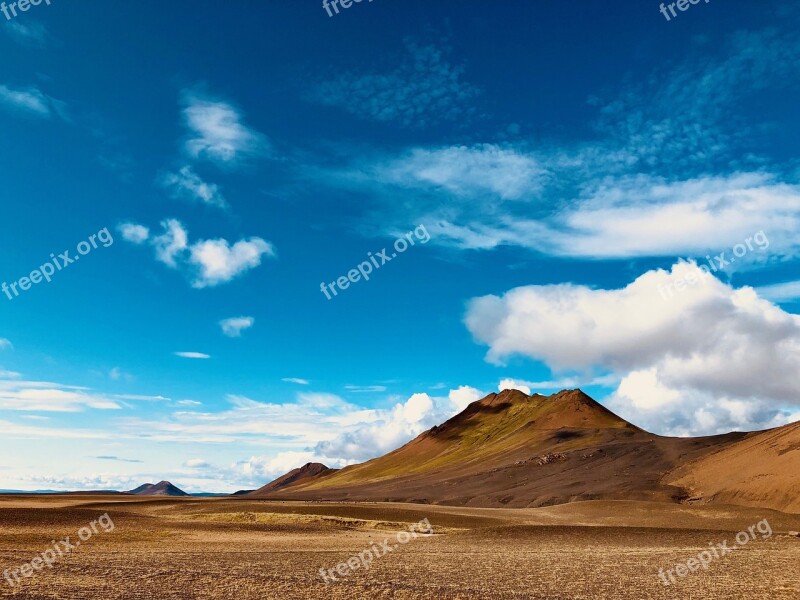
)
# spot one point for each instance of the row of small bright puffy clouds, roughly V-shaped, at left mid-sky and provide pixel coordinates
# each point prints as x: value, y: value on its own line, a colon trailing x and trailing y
x: 209, y: 262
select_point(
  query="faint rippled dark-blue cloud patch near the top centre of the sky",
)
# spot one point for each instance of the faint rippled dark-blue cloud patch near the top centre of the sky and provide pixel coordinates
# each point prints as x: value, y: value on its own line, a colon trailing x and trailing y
x: 426, y: 88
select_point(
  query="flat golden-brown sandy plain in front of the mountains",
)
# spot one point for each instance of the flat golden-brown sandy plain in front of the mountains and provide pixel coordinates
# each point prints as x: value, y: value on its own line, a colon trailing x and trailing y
x: 219, y: 548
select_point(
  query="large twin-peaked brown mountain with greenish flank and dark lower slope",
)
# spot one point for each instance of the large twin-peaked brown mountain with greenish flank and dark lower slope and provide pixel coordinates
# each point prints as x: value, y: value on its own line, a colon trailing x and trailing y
x: 511, y: 449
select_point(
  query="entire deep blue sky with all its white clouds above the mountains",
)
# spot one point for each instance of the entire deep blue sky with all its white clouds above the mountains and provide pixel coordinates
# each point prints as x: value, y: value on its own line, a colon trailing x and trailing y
x: 566, y: 164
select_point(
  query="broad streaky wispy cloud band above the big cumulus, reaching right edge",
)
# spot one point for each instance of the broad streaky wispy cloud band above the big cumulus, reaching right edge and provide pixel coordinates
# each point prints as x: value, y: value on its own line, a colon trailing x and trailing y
x: 613, y: 195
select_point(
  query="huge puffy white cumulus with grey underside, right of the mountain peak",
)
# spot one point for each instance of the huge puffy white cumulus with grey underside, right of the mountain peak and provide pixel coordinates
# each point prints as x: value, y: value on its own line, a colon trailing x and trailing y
x: 711, y: 347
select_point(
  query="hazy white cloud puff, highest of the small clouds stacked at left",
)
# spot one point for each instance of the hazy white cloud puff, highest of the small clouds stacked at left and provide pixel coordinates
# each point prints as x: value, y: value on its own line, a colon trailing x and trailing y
x: 217, y: 132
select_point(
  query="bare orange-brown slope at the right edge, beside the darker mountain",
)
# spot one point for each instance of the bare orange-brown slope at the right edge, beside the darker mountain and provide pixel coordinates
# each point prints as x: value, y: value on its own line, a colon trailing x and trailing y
x: 761, y: 470
